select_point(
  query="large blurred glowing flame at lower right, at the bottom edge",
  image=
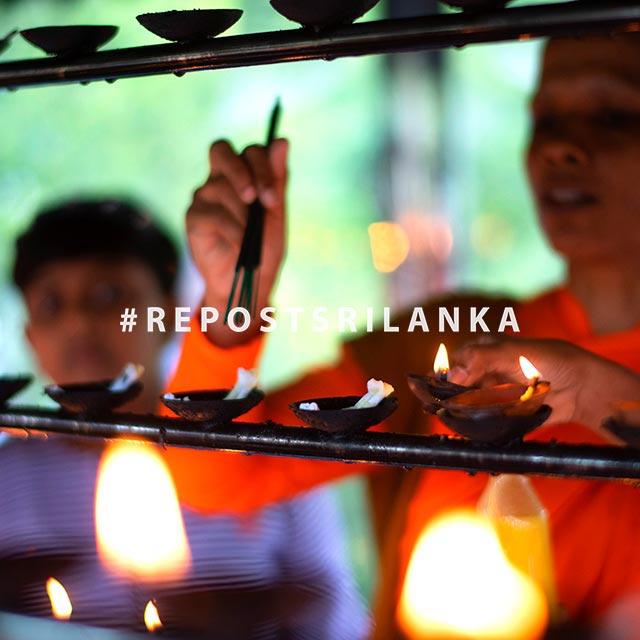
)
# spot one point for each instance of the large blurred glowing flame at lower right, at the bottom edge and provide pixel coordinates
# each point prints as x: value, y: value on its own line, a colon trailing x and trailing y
x: 460, y: 585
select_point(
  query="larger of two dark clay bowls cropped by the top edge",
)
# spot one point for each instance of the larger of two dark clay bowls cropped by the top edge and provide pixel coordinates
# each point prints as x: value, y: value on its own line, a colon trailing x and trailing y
x: 320, y: 14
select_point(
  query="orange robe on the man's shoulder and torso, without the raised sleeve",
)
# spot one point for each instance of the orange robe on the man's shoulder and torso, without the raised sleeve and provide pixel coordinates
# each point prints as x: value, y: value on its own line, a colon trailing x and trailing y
x: 594, y: 524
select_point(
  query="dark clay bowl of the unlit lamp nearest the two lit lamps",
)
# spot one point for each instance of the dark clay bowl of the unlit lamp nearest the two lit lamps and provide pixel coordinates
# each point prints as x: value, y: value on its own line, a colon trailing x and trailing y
x: 334, y: 416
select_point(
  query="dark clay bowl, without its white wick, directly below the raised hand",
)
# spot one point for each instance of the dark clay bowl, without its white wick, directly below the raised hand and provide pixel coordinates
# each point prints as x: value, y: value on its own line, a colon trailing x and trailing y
x: 210, y: 405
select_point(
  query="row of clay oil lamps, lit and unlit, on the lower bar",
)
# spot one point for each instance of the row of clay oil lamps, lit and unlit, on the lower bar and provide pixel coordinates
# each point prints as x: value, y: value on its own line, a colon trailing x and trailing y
x: 493, y: 415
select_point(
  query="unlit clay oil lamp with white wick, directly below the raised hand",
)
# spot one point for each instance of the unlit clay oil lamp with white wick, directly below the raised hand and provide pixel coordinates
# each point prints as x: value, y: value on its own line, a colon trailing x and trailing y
x: 217, y: 405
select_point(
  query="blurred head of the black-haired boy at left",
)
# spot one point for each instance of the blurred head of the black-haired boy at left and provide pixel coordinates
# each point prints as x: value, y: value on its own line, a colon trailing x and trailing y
x: 79, y: 265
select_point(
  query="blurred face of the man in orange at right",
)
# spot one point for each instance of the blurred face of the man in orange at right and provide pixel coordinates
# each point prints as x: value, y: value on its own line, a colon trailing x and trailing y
x: 584, y: 155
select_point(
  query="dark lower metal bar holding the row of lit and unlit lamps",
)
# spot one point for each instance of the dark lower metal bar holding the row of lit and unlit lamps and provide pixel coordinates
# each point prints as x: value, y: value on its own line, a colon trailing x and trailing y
x: 549, y: 459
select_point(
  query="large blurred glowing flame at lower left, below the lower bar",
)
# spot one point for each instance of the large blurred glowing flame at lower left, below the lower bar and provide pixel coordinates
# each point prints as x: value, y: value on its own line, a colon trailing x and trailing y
x: 139, y: 528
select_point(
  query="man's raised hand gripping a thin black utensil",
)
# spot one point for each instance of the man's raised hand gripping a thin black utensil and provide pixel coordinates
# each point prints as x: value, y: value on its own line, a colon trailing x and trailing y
x: 217, y: 218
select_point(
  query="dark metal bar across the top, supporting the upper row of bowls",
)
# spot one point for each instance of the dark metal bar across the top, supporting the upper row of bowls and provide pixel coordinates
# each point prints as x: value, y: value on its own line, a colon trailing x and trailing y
x: 374, y: 37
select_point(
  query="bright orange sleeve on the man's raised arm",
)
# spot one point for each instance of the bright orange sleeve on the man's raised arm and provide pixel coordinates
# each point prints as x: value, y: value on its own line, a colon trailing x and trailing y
x: 216, y: 481
